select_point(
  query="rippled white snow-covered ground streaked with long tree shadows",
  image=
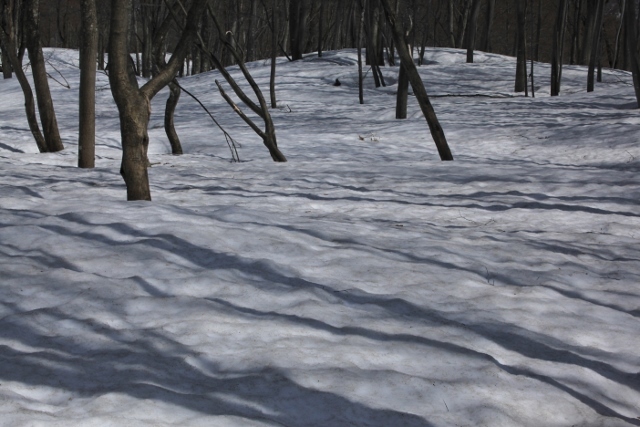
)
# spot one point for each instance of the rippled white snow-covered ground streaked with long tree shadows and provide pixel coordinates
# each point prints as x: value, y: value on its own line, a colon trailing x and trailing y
x: 363, y: 283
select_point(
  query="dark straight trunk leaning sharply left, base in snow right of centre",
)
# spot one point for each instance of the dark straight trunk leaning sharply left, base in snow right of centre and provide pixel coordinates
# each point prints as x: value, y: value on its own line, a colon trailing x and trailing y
x: 416, y: 82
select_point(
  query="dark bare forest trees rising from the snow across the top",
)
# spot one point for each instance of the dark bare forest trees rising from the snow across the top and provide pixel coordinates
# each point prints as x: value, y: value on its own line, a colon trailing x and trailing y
x: 200, y: 35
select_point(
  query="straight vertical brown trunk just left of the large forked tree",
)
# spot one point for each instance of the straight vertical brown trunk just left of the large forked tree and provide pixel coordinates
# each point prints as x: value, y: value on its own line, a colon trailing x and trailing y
x: 88, y: 51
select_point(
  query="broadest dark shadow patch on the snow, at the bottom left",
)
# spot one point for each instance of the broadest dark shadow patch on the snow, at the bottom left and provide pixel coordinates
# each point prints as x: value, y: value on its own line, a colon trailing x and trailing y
x: 148, y: 365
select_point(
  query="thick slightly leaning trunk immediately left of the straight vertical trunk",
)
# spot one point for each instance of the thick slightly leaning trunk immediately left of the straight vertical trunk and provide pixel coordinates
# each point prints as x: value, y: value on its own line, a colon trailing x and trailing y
x: 40, y: 79
